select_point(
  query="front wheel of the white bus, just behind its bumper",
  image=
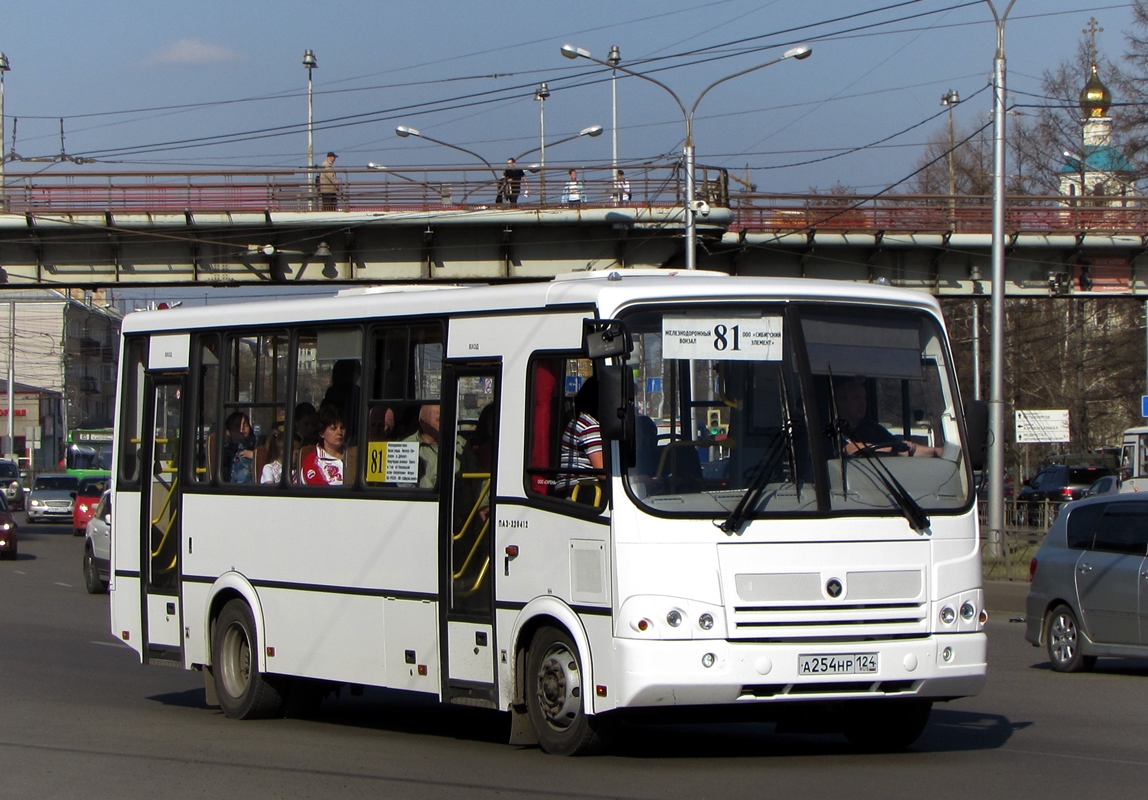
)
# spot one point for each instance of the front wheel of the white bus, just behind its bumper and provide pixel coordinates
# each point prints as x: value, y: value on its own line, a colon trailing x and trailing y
x: 554, y: 695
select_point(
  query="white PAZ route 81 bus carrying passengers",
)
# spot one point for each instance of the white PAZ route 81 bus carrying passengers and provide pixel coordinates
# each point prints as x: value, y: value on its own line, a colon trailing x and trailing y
x: 749, y: 548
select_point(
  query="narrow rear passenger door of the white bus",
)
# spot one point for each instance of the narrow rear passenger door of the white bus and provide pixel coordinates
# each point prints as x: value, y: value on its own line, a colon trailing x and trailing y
x: 161, y: 518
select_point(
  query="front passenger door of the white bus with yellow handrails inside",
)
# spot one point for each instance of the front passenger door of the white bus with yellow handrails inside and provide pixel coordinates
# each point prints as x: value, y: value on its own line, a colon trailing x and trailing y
x: 470, y: 425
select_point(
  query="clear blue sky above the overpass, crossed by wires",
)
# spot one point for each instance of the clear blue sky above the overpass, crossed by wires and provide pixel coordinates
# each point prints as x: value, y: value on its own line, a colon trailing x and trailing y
x: 220, y: 84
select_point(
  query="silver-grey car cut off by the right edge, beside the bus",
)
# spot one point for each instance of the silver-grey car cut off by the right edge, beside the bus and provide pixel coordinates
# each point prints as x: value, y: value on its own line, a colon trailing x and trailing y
x: 1084, y: 601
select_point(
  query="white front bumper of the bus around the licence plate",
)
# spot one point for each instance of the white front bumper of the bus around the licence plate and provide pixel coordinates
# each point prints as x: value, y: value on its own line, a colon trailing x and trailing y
x: 661, y: 674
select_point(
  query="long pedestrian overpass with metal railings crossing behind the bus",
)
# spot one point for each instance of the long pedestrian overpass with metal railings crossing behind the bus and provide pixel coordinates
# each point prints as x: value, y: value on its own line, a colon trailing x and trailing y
x: 97, y: 229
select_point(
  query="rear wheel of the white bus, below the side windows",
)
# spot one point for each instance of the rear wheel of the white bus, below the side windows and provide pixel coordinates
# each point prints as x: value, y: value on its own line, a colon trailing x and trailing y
x: 245, y: 693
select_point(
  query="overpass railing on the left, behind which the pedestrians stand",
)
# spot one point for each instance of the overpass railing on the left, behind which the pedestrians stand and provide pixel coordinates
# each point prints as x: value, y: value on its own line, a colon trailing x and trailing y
x: 433, y: 189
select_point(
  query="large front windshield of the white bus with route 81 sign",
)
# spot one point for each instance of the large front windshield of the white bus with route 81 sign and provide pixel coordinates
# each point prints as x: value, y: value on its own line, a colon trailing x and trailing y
x: 795, y: 409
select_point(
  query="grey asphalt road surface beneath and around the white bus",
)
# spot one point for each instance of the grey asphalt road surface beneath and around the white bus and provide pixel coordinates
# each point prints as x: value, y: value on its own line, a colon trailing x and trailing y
x: 81, y: 718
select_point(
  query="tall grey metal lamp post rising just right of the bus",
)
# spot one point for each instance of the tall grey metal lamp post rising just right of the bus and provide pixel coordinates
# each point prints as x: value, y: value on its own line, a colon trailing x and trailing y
x: 997, y: 336
